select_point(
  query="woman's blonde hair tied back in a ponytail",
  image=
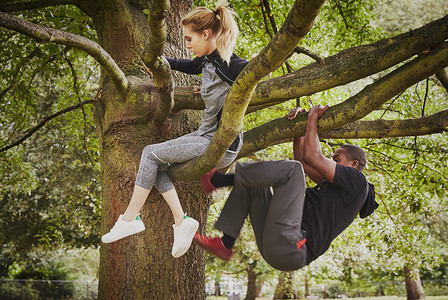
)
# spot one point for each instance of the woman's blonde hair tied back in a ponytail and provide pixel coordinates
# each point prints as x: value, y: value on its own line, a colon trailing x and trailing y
x: 220, y: 21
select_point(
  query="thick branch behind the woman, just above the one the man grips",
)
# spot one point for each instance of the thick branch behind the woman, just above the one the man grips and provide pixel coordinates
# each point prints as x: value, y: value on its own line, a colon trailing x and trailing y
x: 347, y: 66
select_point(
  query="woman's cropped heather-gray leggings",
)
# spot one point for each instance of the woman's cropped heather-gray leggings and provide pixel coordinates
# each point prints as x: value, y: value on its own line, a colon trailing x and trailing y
x: 157, y: 158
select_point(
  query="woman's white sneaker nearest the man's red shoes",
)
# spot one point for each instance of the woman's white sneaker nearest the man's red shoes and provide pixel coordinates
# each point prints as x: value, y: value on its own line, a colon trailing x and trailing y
x: 183, y: 236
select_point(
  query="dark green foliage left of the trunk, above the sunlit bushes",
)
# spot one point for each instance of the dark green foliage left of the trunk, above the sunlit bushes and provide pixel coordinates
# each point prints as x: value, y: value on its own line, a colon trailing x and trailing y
x: 50, y: 190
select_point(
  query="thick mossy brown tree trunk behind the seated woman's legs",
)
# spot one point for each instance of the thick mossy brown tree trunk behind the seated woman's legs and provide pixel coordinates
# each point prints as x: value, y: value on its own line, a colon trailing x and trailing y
x: 141, y: 266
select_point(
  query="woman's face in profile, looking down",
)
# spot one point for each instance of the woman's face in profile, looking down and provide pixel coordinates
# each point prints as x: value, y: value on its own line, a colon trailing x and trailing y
x: 199, y: 43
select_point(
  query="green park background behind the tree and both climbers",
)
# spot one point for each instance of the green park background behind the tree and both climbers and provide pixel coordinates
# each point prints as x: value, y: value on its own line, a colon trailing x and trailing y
x: 51, y: 194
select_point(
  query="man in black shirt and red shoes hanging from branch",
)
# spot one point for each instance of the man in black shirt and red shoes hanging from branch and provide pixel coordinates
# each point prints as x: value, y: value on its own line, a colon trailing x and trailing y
x: 293, y: 225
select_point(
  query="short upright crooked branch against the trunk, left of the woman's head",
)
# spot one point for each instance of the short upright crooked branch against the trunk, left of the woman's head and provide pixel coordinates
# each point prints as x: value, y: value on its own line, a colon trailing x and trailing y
x: 159, y: 67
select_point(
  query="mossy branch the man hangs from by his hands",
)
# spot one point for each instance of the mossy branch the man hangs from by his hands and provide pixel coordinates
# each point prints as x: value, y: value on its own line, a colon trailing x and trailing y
x: 354, y: 108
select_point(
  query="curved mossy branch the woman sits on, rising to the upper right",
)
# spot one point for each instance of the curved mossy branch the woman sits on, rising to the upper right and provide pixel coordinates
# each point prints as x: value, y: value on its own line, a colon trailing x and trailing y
x: 296, y: 26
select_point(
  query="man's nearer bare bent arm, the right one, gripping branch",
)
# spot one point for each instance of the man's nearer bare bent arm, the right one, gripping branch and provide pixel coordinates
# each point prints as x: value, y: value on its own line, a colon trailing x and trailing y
x: 312, y: 152
